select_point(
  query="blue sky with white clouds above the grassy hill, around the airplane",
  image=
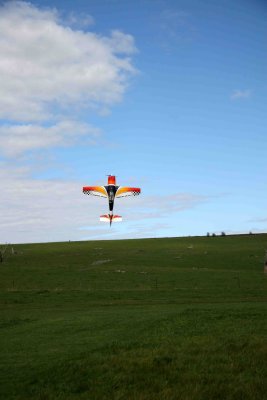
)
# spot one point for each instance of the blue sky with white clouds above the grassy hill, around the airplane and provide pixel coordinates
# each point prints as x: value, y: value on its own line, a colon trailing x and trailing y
x: 169, y: 96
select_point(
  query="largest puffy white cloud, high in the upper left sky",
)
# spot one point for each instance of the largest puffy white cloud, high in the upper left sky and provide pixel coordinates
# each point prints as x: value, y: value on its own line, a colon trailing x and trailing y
x: 46, y: 65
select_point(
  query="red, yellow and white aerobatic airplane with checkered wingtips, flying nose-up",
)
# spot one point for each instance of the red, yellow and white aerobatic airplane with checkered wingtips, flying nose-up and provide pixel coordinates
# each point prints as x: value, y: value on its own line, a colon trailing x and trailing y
x: 111, y: 191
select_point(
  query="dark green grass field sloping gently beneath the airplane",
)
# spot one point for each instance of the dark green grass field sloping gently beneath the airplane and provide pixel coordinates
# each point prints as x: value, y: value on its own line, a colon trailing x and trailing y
x: 178, y: 318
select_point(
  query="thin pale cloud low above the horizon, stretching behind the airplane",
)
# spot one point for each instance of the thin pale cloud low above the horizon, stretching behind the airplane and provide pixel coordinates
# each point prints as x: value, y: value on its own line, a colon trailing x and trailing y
x: 35, y: 210
